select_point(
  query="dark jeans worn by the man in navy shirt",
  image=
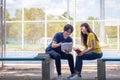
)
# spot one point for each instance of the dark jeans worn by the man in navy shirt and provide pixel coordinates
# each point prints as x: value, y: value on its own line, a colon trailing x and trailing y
x: 58, y: 56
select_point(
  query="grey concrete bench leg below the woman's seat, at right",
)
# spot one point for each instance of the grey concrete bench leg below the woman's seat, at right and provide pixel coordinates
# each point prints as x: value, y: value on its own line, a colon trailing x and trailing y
x: 101, y: 70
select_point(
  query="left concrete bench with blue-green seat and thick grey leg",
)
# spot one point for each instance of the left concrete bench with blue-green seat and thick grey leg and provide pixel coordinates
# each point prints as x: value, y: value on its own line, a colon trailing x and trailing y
x: 47, y: 64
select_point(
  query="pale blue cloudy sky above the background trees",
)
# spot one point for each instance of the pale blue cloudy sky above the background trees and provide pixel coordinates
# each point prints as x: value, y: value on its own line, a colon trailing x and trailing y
x: 84, y: 8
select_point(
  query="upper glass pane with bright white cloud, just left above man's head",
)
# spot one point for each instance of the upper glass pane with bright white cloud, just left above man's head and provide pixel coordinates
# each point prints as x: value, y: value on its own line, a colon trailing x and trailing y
x: 57, y: 10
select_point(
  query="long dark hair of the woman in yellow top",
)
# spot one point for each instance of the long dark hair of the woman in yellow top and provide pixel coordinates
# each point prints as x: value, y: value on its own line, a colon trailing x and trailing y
x: 84, y: 36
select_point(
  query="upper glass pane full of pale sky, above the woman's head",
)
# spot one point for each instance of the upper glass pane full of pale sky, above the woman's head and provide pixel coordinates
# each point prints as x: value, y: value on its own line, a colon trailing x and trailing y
x: 87, y: 10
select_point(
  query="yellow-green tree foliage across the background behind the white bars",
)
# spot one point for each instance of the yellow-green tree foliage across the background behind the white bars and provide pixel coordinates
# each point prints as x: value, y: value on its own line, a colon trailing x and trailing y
x: 35, y: 31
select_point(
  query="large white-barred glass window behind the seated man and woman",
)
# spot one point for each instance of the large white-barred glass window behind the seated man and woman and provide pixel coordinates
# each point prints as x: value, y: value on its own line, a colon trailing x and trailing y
x: 37, y: 21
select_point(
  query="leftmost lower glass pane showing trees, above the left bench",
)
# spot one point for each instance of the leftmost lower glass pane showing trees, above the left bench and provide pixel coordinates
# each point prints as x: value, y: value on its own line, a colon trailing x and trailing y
x: 13, y: 36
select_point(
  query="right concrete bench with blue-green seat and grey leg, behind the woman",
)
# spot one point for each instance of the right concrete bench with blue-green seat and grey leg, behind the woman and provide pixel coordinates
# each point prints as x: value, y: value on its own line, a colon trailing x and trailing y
x: 101, y: 67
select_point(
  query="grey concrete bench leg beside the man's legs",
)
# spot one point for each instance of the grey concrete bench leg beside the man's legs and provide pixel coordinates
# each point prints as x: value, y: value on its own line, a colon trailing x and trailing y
x: 47, y: 69
